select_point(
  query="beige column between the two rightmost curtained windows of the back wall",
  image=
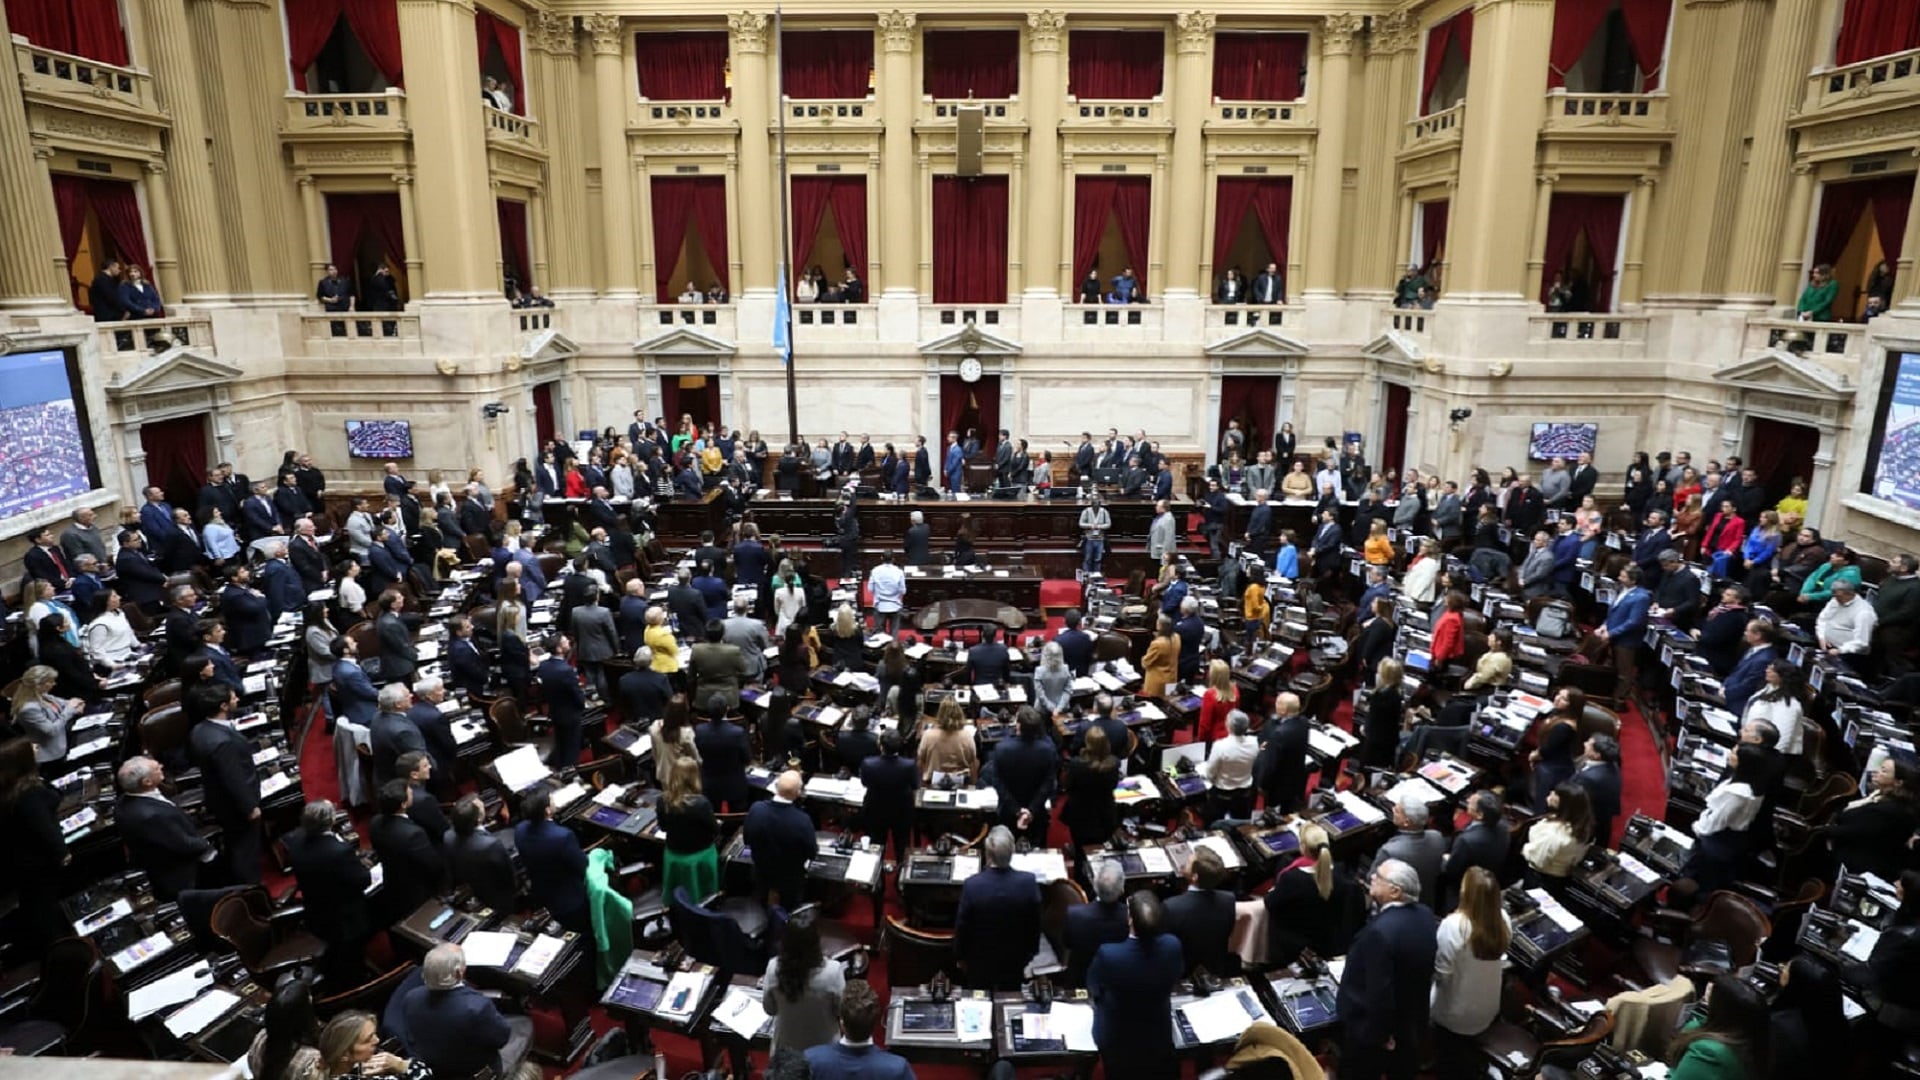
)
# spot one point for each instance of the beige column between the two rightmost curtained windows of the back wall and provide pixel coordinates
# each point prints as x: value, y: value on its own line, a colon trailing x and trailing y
x: 1188, y: 197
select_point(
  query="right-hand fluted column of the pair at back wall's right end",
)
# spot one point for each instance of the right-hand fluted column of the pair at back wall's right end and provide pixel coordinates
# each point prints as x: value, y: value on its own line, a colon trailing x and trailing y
x: 1376, y: 257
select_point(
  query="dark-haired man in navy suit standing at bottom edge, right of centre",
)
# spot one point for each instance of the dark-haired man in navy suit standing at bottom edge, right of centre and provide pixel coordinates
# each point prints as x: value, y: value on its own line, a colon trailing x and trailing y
x: 1132, y: 987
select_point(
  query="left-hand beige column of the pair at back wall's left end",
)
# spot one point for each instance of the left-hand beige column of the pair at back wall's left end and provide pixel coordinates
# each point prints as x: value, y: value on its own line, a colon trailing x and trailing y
x: 558, y: 72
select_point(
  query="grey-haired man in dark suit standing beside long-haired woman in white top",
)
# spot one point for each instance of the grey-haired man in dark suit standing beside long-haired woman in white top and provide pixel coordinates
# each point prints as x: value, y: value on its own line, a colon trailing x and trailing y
x: 1389, y: 977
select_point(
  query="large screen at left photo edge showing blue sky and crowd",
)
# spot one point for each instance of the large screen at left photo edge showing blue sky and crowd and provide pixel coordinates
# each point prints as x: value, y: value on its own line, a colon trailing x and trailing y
x: 45, y: 454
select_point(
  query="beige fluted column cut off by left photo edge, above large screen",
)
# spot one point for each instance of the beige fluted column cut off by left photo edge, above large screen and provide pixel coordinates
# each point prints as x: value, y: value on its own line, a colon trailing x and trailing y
x: 32, y: 257
